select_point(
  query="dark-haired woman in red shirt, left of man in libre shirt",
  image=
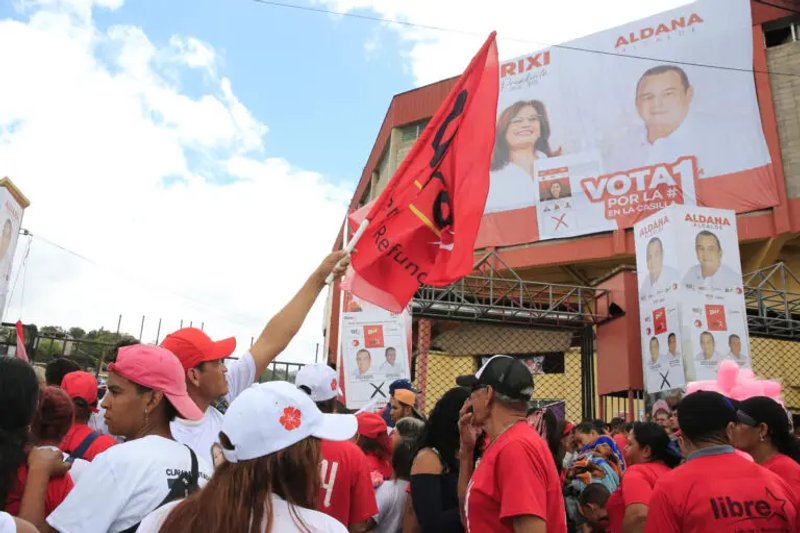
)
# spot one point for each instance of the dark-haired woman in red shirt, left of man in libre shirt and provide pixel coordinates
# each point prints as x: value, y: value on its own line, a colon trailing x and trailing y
x: 651, y: 454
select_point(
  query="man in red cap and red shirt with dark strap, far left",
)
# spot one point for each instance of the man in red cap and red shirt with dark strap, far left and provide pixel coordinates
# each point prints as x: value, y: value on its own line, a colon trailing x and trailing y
x: 80, y: 441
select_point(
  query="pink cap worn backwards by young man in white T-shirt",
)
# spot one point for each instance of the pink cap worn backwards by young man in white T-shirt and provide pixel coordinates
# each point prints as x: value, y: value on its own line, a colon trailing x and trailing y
x: 158, y: 369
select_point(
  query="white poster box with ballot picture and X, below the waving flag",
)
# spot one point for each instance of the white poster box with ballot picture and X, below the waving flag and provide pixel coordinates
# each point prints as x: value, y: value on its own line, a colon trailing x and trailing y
x: 374, y: 351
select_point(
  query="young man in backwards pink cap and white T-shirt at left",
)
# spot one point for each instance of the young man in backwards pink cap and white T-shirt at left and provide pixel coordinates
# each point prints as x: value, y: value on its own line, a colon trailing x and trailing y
x: 146, y: 390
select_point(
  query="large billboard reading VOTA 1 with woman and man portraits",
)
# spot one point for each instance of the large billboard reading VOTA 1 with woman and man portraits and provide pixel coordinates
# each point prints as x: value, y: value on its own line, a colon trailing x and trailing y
x: 601, y: 132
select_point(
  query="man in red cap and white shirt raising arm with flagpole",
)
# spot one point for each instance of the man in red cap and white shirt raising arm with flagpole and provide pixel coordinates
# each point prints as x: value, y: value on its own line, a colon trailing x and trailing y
x: 208, y: 378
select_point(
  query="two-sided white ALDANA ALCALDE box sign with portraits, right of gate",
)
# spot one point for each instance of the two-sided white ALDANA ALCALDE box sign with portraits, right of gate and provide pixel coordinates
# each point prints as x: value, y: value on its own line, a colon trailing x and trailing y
x: 691, y: 295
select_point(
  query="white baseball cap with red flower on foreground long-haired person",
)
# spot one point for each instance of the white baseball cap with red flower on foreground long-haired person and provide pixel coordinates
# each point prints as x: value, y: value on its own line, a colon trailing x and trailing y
x: 269, y: 417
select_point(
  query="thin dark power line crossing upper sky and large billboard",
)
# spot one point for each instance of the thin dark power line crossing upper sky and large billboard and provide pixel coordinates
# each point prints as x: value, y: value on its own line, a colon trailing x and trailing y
x: 372, y: 18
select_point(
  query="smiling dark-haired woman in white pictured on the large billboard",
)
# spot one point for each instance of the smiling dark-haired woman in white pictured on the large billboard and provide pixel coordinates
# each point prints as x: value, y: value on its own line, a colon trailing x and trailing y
x: 522, y: 136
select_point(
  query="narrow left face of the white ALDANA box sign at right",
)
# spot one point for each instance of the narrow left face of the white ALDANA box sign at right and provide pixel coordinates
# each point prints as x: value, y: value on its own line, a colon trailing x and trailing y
x: 659, y: 315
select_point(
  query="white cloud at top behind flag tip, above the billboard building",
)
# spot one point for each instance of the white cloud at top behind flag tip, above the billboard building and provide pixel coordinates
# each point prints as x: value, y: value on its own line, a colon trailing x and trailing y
x: 434, y: 55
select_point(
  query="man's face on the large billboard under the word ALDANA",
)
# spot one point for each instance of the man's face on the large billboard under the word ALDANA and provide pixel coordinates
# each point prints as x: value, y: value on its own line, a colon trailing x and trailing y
x: 663, y: 103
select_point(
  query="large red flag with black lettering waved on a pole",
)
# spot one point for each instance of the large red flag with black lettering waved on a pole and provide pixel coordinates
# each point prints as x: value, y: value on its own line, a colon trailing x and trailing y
x: 423, y: 226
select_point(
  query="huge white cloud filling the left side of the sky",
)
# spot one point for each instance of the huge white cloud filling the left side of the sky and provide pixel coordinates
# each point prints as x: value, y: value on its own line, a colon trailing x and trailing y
x: 92, y: 126
